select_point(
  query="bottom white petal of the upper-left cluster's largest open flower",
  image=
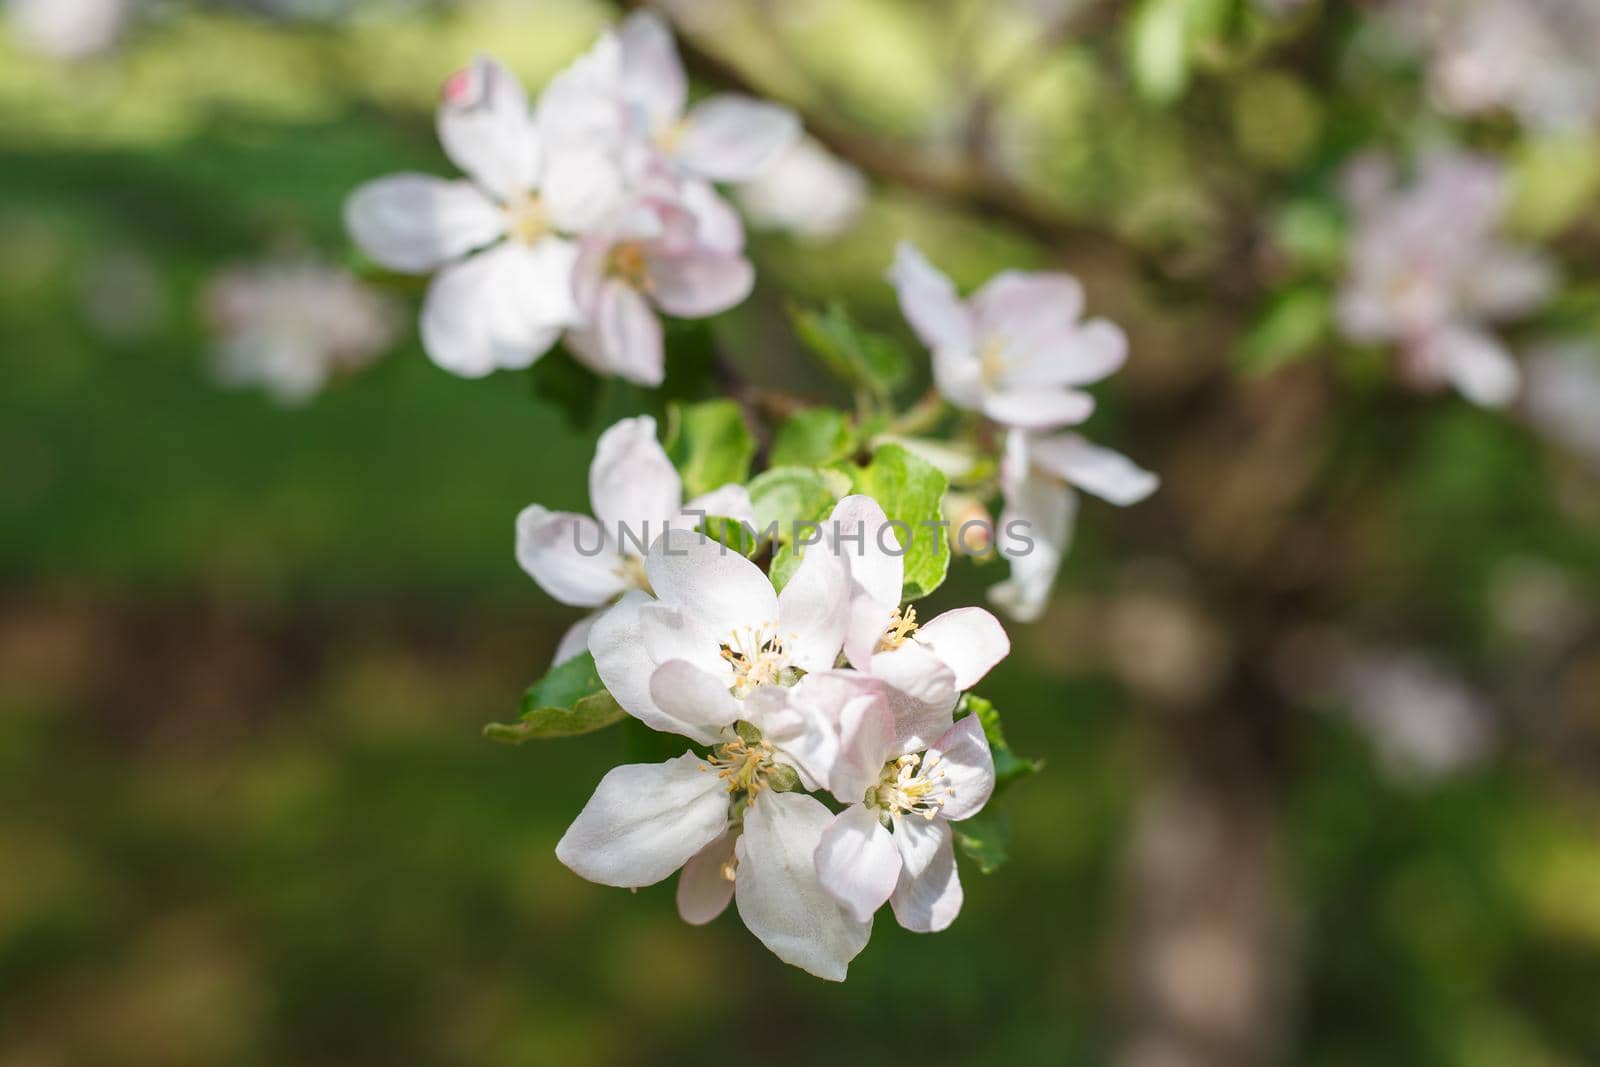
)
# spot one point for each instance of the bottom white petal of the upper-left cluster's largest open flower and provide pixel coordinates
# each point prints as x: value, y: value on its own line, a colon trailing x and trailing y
x: 484, y: 314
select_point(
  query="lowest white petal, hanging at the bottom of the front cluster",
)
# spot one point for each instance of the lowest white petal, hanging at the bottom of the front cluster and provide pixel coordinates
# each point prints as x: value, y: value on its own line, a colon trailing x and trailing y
x: 780, y: 897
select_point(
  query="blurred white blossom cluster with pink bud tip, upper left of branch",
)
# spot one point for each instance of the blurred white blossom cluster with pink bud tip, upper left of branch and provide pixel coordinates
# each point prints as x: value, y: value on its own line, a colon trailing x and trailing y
x: 582, y: 215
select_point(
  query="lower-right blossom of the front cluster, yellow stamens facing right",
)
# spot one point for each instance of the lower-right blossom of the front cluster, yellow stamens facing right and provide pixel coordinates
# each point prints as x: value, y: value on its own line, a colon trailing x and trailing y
x: 895, y: 841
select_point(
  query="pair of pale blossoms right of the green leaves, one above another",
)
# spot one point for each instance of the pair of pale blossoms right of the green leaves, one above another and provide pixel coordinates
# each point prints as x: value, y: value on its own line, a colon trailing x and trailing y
x: 1020, y: 354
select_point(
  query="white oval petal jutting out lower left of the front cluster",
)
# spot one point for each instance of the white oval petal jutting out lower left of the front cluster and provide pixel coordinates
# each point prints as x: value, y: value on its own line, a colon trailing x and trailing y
x: 646, y: 821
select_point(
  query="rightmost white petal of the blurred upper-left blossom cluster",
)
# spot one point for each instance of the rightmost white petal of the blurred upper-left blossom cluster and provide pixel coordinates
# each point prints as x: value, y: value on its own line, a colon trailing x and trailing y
x: 809, y: 193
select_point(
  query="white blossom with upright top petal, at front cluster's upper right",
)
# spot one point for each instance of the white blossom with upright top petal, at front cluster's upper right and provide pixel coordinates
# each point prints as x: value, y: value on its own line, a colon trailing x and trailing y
x: 926, y: 666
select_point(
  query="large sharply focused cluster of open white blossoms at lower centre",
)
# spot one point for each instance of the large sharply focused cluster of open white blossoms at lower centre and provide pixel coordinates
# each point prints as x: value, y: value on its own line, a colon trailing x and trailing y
x: 826, y: 689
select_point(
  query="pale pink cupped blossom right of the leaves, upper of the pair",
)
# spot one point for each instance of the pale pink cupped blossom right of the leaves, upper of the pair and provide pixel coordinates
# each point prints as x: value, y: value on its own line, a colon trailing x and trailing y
x: 1017, y: 351
